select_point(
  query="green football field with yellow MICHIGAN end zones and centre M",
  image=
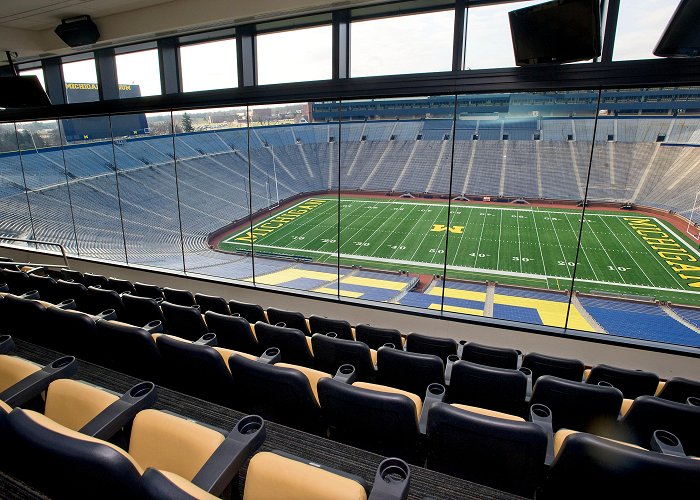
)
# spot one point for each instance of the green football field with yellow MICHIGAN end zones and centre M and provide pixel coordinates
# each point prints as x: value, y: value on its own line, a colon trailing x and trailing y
x: 508, y: 244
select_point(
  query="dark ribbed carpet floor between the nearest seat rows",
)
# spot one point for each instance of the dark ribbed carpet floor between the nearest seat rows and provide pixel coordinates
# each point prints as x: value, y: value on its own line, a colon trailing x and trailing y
x: 424, y: 483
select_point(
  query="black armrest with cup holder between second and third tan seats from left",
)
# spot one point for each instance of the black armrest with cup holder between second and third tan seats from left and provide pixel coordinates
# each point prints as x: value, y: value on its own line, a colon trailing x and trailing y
x: 122, y: 411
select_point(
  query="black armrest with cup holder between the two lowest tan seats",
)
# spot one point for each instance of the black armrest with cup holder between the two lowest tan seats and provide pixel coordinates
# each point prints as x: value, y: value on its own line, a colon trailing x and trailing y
x: 218, y: 472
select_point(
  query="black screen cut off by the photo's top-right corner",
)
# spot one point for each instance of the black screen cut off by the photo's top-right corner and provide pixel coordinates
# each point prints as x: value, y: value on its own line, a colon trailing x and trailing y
x: 682, y: 35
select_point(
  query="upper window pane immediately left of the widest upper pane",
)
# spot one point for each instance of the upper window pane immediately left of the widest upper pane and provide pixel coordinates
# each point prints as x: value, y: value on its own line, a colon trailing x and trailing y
x: 295, y: 56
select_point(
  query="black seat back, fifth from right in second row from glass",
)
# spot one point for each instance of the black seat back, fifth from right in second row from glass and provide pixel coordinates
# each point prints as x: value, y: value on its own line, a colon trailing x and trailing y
x: 330, y: 353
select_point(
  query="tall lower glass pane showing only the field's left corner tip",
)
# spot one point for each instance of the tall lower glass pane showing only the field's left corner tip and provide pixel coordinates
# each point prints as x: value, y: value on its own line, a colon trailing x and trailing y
x: 211, y: 148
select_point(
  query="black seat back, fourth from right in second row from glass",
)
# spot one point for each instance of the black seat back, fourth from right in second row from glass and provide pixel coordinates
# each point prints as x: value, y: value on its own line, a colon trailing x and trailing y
x: 409, y: 371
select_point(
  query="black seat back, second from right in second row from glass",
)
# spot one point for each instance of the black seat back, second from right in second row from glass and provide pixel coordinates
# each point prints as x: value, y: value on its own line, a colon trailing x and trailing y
x: 576, y: 405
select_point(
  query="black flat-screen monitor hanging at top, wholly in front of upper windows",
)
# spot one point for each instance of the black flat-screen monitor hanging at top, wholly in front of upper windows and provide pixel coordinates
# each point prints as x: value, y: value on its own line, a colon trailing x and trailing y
x: 556, y: 32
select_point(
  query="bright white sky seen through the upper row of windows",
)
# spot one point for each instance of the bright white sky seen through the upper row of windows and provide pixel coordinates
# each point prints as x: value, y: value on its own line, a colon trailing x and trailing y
x: 395, y: 45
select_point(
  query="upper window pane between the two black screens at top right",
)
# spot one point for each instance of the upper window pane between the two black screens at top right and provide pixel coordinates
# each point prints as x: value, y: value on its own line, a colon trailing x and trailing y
x: 640, y: 25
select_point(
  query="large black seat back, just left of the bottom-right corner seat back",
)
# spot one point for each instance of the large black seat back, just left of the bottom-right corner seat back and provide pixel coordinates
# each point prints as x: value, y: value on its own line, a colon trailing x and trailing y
x: 504, y: 454
